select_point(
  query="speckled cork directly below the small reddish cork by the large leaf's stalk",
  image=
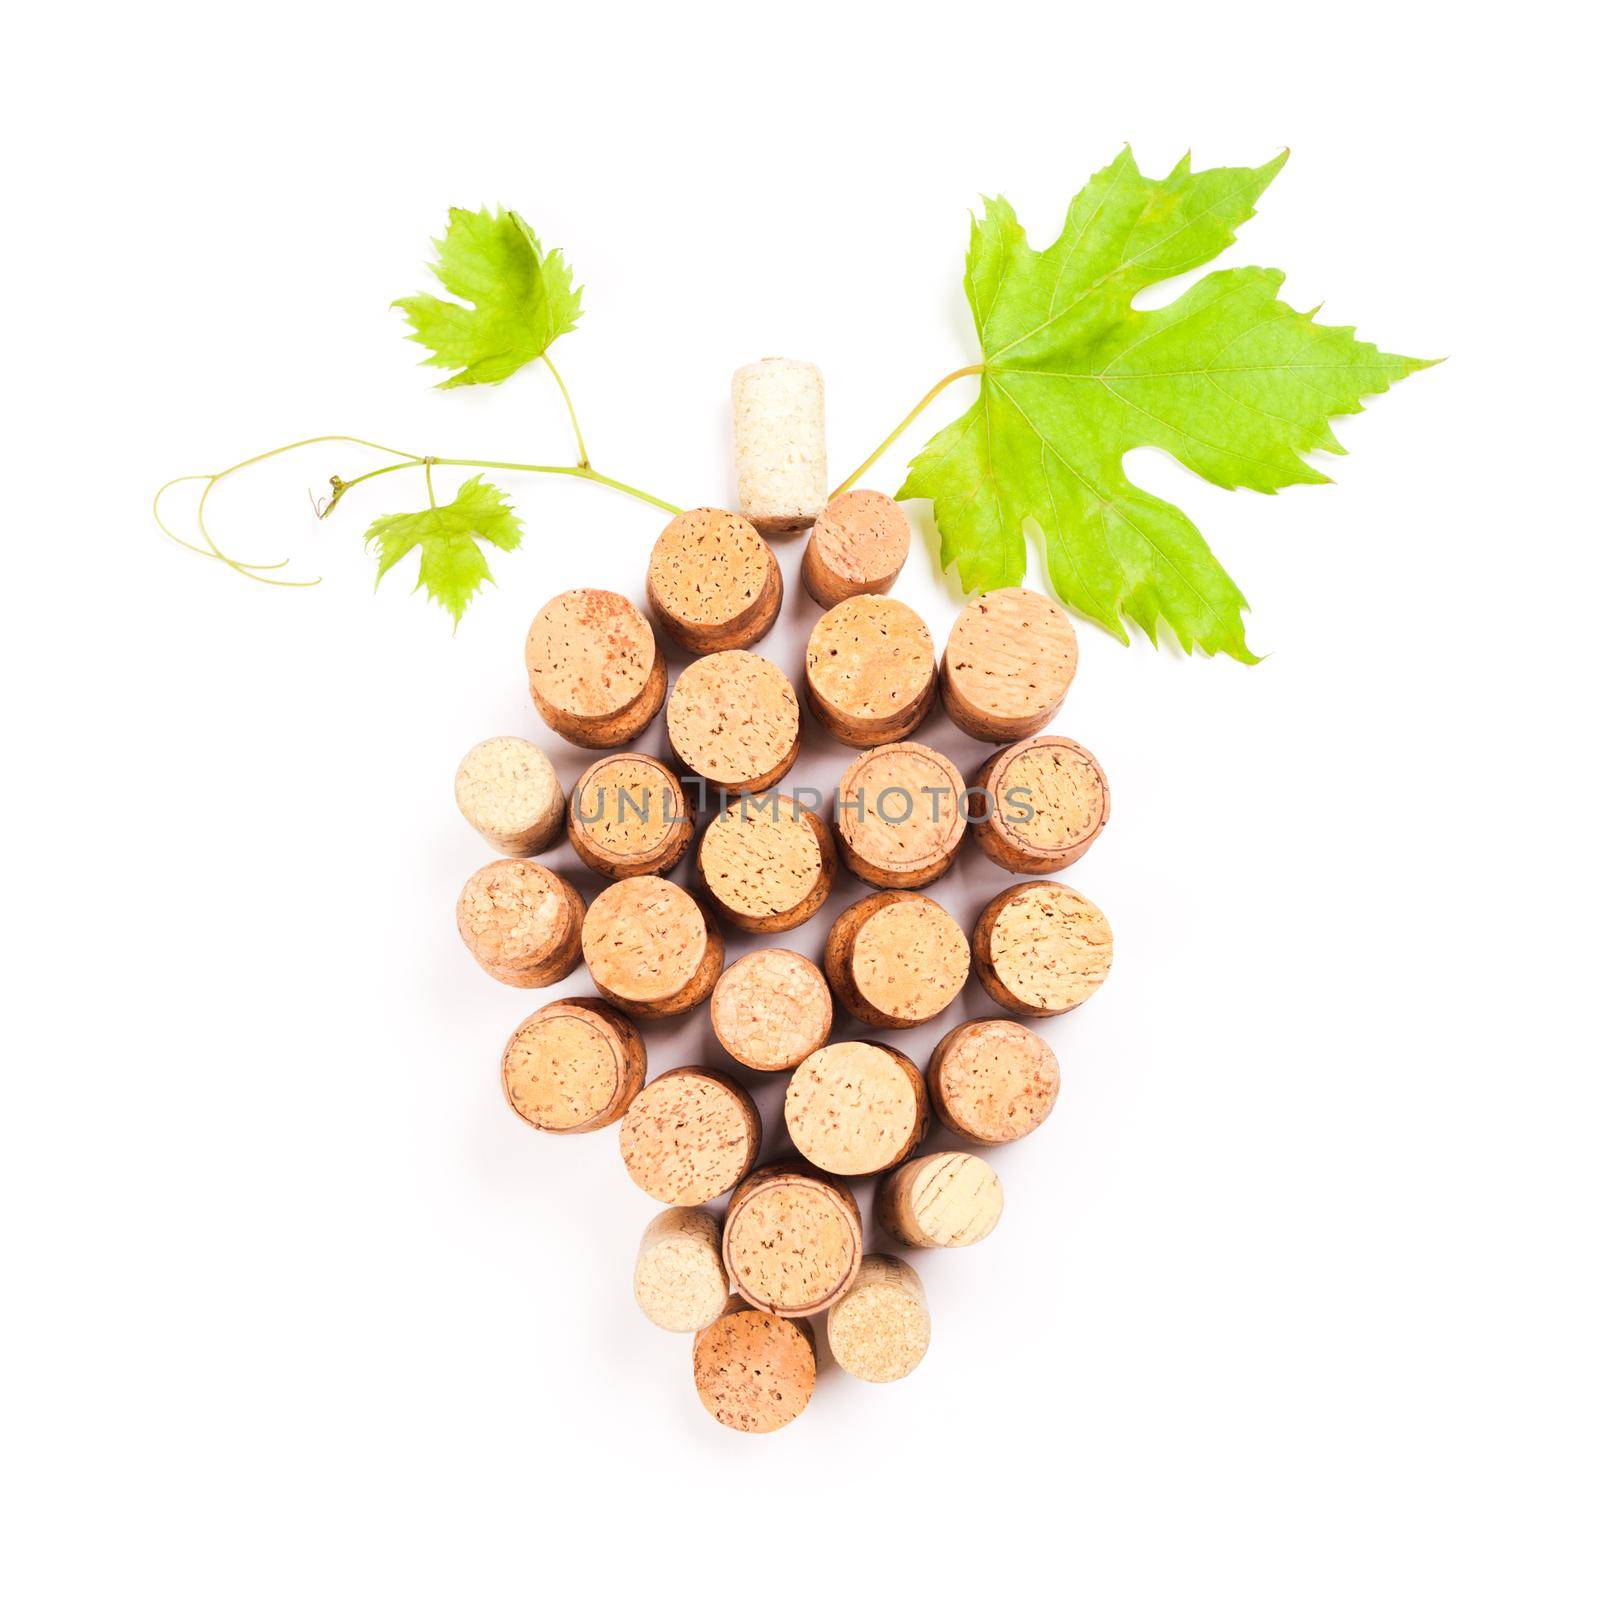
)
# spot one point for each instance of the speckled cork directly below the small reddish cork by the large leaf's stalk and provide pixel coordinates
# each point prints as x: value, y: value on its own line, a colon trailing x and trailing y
x: 871, y: 671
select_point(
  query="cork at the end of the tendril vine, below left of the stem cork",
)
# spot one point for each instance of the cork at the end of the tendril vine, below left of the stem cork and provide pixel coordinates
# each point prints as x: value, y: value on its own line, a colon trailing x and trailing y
x: 713, y: 582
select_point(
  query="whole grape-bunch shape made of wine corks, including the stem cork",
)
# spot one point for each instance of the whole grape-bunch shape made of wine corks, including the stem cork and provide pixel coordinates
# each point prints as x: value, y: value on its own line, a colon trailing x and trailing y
x: 756, y: 1242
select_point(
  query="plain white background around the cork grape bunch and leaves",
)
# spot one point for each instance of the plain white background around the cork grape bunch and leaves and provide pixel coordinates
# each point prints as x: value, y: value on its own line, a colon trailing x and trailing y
x: 1294, y: 1295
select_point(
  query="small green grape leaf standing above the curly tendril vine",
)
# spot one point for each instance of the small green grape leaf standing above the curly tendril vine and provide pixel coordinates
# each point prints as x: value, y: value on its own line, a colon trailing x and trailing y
x: 521, y: 300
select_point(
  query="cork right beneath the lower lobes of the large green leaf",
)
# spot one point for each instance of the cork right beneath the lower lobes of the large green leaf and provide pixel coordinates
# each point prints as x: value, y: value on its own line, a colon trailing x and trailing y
x: 1009, y: 665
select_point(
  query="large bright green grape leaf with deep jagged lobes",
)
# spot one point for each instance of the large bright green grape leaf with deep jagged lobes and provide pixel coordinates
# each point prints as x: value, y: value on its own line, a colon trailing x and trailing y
x: 1228, y: 380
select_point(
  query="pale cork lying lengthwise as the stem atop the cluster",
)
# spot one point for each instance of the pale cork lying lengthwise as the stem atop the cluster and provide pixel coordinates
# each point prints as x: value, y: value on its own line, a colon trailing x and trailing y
x: 778, y: 444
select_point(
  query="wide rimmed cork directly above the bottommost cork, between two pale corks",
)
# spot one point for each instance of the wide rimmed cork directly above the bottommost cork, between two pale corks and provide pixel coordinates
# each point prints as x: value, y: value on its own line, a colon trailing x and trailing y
x: 791, y: 1241
